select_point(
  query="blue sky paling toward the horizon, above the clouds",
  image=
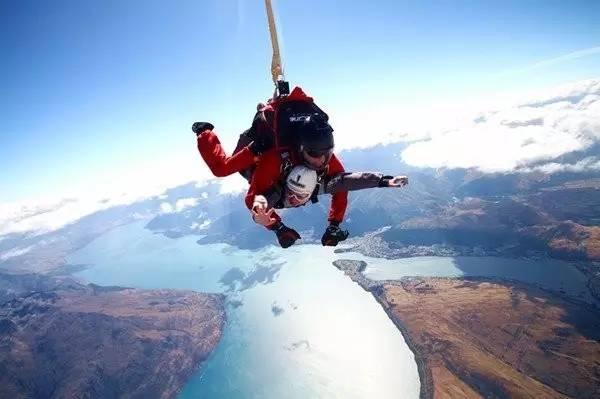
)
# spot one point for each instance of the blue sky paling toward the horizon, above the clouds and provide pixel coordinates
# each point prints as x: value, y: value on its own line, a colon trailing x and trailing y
x: 93, y: 89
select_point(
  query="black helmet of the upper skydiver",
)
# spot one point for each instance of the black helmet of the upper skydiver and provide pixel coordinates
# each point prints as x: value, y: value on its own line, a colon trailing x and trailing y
x: 314, y: 134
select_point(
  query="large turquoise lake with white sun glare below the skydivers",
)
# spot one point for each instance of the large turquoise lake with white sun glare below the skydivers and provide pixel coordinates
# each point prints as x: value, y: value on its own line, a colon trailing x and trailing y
x: 297, y: 327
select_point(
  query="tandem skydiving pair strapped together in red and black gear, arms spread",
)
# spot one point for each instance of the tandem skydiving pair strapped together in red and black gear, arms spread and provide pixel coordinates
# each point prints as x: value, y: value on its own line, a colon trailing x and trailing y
x: 292, y: 139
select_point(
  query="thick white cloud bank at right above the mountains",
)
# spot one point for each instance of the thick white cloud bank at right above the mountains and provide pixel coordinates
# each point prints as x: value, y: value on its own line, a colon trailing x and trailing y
x: 508, y: 139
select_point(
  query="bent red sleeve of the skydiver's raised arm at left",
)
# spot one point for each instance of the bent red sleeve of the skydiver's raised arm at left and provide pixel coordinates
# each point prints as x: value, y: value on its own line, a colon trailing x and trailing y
x: 217, y: 160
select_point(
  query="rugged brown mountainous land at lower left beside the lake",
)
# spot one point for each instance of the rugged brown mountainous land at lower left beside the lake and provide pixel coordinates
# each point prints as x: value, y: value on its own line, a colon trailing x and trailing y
x: 190, y: 322
